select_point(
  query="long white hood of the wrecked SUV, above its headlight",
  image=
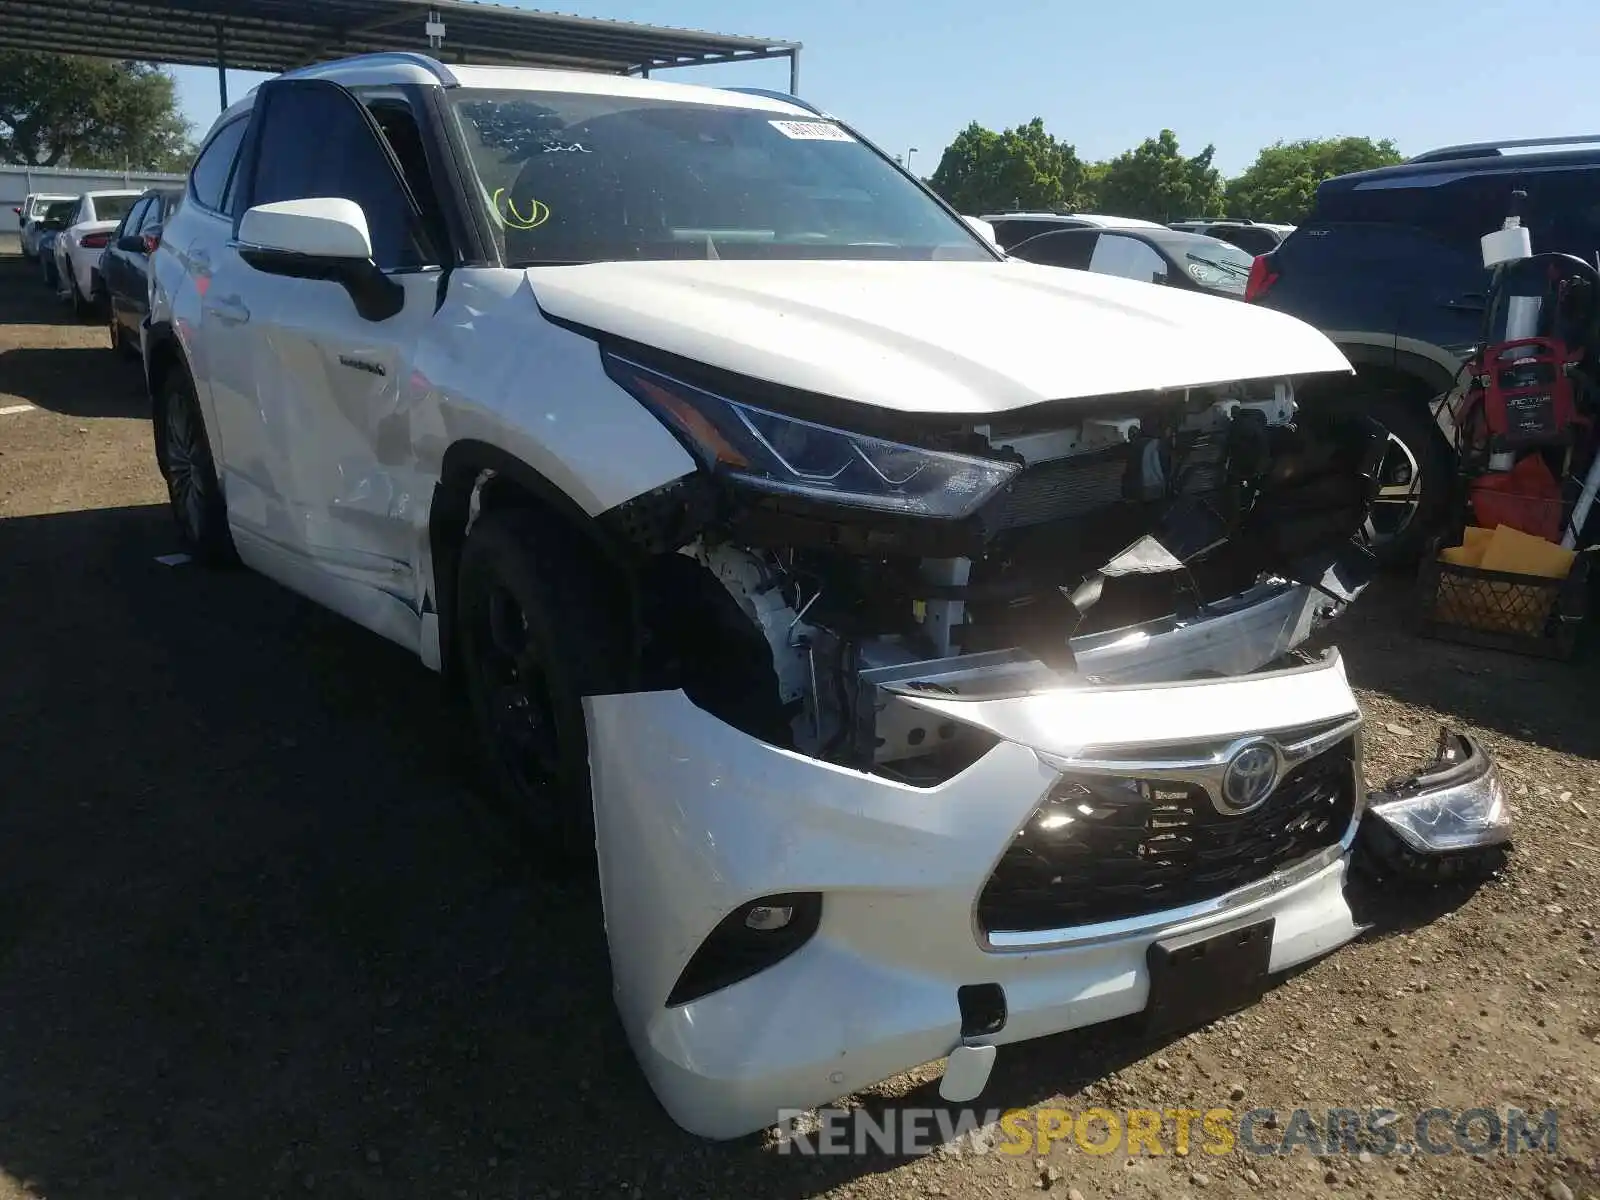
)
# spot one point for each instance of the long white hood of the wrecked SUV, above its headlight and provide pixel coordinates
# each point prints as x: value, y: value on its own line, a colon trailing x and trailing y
x: 970, y: 338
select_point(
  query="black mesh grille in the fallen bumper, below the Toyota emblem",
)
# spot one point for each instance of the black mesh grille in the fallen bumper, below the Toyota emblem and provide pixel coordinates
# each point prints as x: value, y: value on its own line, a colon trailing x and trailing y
x: 1106, y: 849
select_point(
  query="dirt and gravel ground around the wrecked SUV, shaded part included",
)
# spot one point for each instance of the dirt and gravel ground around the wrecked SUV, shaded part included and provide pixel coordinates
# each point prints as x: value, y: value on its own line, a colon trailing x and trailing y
x: 252, y: 943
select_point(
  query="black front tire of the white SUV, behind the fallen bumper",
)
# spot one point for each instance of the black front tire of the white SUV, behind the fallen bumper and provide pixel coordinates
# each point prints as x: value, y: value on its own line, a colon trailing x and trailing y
x: 537, y: 633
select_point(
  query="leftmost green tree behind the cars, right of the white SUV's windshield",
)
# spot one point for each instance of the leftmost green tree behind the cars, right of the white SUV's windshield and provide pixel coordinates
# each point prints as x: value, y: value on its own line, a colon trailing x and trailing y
x: 985, y: 170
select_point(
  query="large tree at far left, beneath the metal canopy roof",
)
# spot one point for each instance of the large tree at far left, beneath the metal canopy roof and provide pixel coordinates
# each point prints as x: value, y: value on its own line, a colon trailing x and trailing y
x: 71, y: 111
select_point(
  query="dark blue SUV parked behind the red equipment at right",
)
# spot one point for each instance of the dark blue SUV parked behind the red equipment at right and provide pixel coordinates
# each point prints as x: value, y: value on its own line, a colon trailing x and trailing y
x: 1388, y: 265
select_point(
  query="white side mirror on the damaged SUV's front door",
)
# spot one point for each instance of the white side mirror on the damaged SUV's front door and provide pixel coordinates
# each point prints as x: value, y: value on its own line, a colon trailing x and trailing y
x: 322, y: 239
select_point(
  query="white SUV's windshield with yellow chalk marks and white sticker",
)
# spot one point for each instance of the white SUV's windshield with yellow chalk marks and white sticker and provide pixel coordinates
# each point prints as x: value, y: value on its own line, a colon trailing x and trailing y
x: 585, y: 178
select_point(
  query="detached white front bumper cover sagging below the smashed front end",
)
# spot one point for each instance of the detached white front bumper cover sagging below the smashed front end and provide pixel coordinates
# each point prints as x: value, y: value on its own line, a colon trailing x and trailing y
x: 697, y: 820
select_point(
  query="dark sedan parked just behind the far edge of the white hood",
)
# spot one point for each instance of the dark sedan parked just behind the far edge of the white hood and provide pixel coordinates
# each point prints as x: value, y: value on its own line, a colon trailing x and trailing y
x: 1148, y: 255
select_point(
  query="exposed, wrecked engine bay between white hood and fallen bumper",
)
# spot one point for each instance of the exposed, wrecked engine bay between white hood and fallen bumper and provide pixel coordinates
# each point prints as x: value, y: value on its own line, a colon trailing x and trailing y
x: 807, y: 625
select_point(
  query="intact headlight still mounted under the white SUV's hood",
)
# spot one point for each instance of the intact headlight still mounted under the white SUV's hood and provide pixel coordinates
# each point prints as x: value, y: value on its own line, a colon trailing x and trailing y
x: 801, y: 458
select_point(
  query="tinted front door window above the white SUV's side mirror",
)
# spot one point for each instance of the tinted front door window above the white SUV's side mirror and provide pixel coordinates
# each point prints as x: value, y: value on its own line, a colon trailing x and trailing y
x: 348, y: 159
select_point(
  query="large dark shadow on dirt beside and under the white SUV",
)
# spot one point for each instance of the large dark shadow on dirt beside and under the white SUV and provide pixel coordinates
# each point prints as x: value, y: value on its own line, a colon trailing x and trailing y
x: 254, y: 940
